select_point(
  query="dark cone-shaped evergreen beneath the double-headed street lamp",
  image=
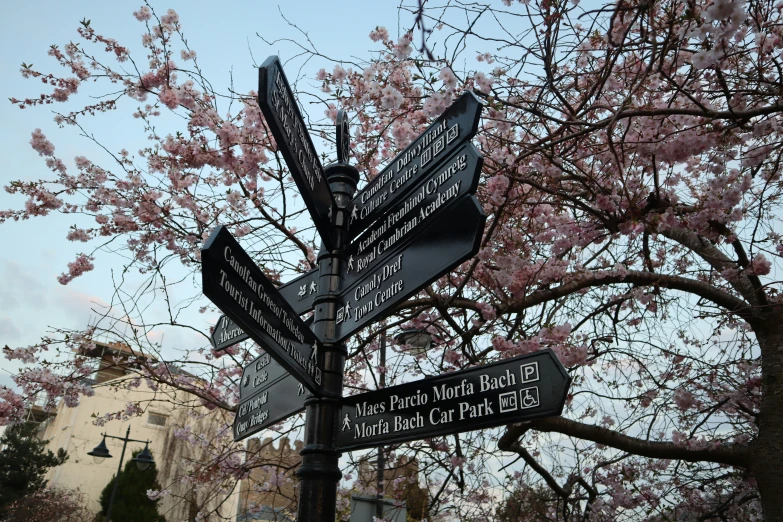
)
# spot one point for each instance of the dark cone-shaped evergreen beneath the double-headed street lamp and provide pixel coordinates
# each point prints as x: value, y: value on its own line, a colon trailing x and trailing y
x: 131, y: 503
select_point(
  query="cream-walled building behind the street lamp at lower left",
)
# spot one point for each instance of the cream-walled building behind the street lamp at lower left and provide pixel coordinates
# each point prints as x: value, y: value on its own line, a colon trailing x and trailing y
x: 164, y: 410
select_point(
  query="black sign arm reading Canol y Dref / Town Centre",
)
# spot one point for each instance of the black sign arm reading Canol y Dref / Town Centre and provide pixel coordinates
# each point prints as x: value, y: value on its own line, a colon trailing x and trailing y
x: 448, y: 241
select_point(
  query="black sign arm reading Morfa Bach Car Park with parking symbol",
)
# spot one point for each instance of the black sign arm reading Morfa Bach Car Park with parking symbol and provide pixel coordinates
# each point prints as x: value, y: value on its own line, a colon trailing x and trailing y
x: 523, y: 388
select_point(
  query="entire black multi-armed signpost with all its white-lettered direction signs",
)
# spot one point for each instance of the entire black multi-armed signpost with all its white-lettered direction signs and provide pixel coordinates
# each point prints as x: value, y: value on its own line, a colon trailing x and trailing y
x: 416, y: 221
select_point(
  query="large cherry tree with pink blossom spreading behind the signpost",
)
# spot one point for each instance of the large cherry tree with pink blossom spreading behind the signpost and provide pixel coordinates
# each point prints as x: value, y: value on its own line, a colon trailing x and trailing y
x: 632, y: 183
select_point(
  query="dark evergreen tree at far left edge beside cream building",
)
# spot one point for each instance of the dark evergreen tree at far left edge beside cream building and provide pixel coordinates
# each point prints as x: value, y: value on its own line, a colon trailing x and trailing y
x: 24, y: 460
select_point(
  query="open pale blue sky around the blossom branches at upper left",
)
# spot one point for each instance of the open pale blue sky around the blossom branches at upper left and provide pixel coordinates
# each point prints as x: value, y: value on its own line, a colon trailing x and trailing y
x: 227, y: 43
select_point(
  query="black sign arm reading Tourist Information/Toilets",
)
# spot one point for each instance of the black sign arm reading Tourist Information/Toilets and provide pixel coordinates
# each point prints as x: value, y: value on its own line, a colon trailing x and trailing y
x: 238, y: 287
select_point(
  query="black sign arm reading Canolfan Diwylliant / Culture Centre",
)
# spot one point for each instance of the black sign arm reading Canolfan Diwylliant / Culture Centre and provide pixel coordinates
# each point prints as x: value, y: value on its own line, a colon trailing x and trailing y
x: 452, y: 128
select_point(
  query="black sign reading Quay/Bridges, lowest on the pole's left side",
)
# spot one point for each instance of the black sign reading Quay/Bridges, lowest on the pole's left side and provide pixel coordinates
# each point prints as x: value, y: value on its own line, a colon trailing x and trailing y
x: 269, y: 406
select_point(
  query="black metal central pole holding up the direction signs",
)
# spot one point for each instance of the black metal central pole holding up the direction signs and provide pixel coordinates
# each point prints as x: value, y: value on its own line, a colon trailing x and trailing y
x: 320, y: 472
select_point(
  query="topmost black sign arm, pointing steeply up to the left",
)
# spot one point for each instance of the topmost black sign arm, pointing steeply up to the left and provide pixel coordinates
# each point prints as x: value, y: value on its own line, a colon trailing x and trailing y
x: 282, y: 114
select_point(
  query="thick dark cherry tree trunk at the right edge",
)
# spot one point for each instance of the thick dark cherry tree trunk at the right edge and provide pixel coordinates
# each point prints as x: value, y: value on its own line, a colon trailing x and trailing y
x: 767, y: 450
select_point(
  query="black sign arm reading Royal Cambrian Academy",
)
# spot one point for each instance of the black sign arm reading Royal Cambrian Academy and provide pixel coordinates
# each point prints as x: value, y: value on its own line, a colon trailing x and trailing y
x: 402, y: 222
